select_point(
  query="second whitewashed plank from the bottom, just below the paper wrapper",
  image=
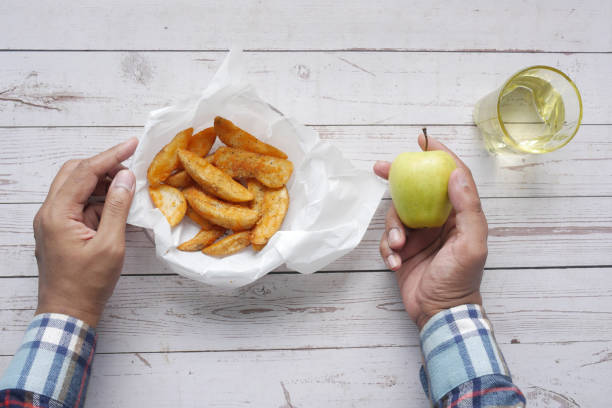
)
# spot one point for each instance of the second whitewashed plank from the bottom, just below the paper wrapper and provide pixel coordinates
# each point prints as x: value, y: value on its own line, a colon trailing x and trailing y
x: 290, y: 311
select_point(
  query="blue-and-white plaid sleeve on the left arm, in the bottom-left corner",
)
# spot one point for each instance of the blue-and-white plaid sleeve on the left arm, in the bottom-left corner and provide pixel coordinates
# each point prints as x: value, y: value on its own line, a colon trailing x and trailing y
x: 52, y: 366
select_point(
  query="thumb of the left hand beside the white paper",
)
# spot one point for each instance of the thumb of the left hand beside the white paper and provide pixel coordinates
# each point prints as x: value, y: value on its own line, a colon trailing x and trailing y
x: 116, y: 207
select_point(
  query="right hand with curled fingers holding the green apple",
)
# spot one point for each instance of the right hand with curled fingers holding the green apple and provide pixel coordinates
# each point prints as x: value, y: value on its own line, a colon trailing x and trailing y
x: 438, y: 268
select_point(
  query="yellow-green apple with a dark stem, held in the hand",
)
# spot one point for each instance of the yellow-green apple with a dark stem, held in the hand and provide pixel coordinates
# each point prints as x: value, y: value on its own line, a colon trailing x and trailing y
x: 419, y: 187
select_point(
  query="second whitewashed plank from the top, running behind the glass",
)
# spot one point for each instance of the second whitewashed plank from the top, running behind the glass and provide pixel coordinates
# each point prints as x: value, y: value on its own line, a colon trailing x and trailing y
x: 121, y: 88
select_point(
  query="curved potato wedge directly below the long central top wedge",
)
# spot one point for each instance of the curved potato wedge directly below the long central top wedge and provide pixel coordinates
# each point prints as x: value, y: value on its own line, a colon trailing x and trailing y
x: 233, y: 216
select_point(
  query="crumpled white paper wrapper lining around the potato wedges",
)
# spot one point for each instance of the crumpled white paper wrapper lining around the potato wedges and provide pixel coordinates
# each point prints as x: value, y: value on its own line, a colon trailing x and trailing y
x: 331, y: 206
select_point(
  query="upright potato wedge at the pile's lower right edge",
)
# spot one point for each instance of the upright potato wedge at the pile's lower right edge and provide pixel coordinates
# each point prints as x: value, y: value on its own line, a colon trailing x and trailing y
x: 275, y: 205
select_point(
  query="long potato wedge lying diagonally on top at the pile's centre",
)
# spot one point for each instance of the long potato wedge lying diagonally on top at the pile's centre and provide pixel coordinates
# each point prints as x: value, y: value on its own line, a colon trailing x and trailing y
x: 212, y: 180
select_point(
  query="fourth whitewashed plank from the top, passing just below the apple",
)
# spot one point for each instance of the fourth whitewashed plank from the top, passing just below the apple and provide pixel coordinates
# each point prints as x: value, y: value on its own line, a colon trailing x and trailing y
x: 535, y: 232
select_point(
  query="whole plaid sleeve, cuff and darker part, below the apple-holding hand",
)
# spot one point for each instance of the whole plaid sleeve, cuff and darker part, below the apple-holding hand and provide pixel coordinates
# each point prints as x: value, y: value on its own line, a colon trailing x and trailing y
x: 463, y: 366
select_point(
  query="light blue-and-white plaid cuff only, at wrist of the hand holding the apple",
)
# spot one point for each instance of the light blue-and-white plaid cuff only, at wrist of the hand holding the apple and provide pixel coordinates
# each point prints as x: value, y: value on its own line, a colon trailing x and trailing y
x: 458, y: 345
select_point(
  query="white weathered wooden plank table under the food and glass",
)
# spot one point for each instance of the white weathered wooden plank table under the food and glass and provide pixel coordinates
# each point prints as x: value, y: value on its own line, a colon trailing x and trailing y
x: 77, y: 77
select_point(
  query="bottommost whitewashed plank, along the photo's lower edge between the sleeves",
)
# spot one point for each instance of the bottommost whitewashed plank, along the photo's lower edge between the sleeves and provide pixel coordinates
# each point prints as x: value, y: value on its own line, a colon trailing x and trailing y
x: 575, y: 376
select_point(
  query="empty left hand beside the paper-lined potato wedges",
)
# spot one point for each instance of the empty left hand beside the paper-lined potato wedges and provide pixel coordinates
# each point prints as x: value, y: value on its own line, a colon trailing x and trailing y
x: 80, y: 244
